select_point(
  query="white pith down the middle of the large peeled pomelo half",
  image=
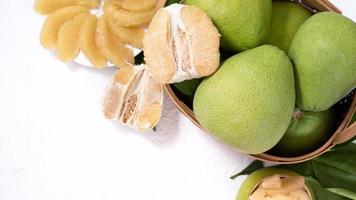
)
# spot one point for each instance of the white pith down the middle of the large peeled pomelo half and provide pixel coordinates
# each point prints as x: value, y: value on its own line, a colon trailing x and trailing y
x: 176, y: 24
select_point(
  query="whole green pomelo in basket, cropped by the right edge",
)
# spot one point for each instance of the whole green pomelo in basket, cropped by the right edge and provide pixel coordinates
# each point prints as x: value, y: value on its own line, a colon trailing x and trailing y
x: 324, y: 55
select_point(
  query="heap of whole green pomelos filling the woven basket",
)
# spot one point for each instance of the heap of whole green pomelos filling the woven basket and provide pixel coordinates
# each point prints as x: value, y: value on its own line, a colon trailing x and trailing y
x: 287, y: 70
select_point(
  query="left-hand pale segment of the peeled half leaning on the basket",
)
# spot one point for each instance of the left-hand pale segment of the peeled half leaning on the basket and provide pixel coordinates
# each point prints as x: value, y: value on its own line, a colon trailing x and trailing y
x: 158, y: 56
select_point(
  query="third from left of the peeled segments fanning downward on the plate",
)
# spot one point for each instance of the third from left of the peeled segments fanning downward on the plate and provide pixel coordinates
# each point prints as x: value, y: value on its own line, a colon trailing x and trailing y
x: 87, y: 42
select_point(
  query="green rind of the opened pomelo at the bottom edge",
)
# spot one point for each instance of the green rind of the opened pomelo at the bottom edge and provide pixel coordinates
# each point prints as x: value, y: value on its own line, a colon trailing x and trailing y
x: 256, y: 177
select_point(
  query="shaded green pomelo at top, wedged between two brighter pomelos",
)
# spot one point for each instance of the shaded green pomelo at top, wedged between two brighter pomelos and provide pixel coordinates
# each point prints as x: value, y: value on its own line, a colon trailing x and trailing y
x: 286, y: 19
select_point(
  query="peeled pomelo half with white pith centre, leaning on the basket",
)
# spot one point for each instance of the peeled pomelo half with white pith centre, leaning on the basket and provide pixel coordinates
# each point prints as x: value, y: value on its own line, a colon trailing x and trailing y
x: 181, y: 44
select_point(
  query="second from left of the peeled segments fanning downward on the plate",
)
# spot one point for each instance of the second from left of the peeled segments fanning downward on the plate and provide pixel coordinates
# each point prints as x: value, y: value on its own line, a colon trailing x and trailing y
x: 68, y: 38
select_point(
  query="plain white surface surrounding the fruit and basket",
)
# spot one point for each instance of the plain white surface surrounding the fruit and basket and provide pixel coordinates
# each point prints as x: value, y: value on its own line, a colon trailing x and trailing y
x: 55, y: 143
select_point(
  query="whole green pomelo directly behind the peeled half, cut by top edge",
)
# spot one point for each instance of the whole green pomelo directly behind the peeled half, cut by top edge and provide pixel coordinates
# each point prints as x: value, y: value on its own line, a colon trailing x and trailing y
x: 243, y: 24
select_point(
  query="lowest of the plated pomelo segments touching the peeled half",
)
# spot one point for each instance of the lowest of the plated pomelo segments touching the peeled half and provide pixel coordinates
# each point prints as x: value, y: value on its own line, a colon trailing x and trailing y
x: 128, y: 35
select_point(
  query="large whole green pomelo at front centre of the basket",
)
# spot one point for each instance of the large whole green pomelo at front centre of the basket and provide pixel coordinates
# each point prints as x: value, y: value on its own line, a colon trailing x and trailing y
x: 248, y: 103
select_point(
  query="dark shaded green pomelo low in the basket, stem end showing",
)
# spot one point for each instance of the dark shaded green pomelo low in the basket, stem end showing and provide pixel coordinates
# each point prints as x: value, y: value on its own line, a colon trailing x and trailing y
x: 307, y: 131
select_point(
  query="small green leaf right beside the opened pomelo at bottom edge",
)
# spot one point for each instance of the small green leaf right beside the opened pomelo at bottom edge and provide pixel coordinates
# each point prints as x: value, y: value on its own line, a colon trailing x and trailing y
x: 321, y: 193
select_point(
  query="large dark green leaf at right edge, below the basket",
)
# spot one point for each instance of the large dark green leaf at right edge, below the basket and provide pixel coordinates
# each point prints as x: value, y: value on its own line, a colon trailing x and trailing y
x: 337, y: 168
